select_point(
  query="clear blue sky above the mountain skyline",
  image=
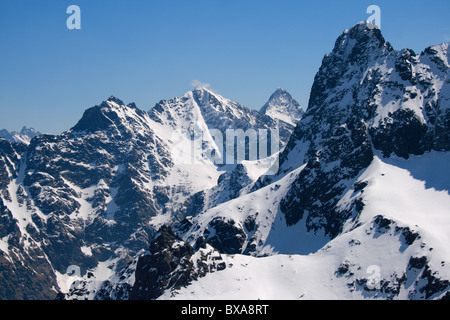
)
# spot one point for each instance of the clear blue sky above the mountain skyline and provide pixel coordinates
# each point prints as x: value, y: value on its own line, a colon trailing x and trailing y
x: 143, y: 51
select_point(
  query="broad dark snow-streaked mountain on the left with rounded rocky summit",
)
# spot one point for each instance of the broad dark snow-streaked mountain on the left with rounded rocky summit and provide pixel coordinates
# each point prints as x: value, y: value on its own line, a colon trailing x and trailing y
x: 84, y: 197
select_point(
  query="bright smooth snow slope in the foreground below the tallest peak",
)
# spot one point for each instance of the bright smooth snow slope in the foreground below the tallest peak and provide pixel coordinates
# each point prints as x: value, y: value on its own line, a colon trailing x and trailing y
x: 394, y: 250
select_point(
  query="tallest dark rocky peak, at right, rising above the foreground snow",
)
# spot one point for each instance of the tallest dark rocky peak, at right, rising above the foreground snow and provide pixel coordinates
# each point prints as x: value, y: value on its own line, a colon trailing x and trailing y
x: 393, y: 101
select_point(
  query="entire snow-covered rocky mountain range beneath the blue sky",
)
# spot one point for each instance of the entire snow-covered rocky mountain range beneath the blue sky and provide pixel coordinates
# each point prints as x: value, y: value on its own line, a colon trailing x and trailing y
x: 358, y: 207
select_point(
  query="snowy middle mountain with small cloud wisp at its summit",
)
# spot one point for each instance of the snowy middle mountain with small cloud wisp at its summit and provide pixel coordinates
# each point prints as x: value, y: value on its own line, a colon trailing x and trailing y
x: 205, y: 114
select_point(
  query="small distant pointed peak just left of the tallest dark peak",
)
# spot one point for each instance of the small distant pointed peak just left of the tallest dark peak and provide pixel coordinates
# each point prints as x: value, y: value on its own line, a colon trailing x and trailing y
x: 282, y: 106
